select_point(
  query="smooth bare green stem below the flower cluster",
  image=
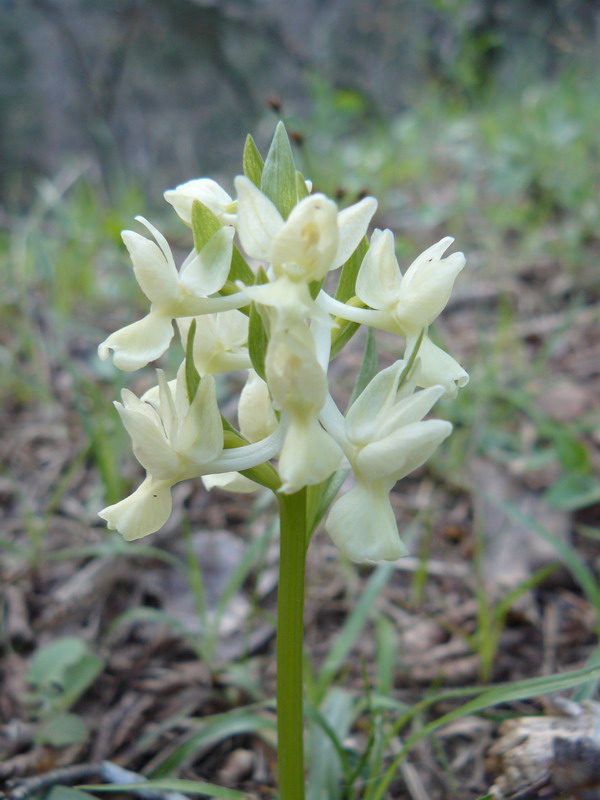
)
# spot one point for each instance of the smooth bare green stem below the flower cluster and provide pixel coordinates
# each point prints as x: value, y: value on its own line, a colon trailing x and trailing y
x: 290, y: 637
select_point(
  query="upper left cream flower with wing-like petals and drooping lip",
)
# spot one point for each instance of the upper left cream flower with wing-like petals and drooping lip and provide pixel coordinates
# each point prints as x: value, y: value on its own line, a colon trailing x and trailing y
x: 171, y: 293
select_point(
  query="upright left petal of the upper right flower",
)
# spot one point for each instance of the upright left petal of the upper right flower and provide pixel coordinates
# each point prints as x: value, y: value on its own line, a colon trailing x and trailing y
x: 379, y: 278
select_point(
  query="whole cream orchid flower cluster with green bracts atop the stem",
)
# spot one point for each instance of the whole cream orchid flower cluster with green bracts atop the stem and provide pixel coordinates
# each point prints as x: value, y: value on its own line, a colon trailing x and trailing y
x: 252, y: 296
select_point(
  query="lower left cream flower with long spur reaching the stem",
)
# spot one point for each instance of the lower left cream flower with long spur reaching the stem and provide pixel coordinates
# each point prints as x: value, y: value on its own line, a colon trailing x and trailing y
x: 175, y: 439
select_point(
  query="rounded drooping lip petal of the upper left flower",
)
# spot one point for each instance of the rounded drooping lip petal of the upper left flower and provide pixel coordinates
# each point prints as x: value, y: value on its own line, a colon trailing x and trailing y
x: 139, y: 343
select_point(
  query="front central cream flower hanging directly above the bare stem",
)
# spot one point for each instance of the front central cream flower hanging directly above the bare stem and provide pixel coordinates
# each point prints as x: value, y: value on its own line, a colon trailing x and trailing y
x: 298, y: 387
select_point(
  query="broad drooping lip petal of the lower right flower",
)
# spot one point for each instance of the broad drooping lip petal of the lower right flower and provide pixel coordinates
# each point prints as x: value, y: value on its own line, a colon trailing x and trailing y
x: 362, y: 524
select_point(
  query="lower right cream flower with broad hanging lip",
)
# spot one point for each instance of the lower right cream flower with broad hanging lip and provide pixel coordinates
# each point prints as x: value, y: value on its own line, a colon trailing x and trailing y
x: 384, y: 439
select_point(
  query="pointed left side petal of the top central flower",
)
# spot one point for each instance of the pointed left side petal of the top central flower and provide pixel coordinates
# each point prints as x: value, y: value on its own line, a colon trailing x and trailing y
x: 258, y: 221
